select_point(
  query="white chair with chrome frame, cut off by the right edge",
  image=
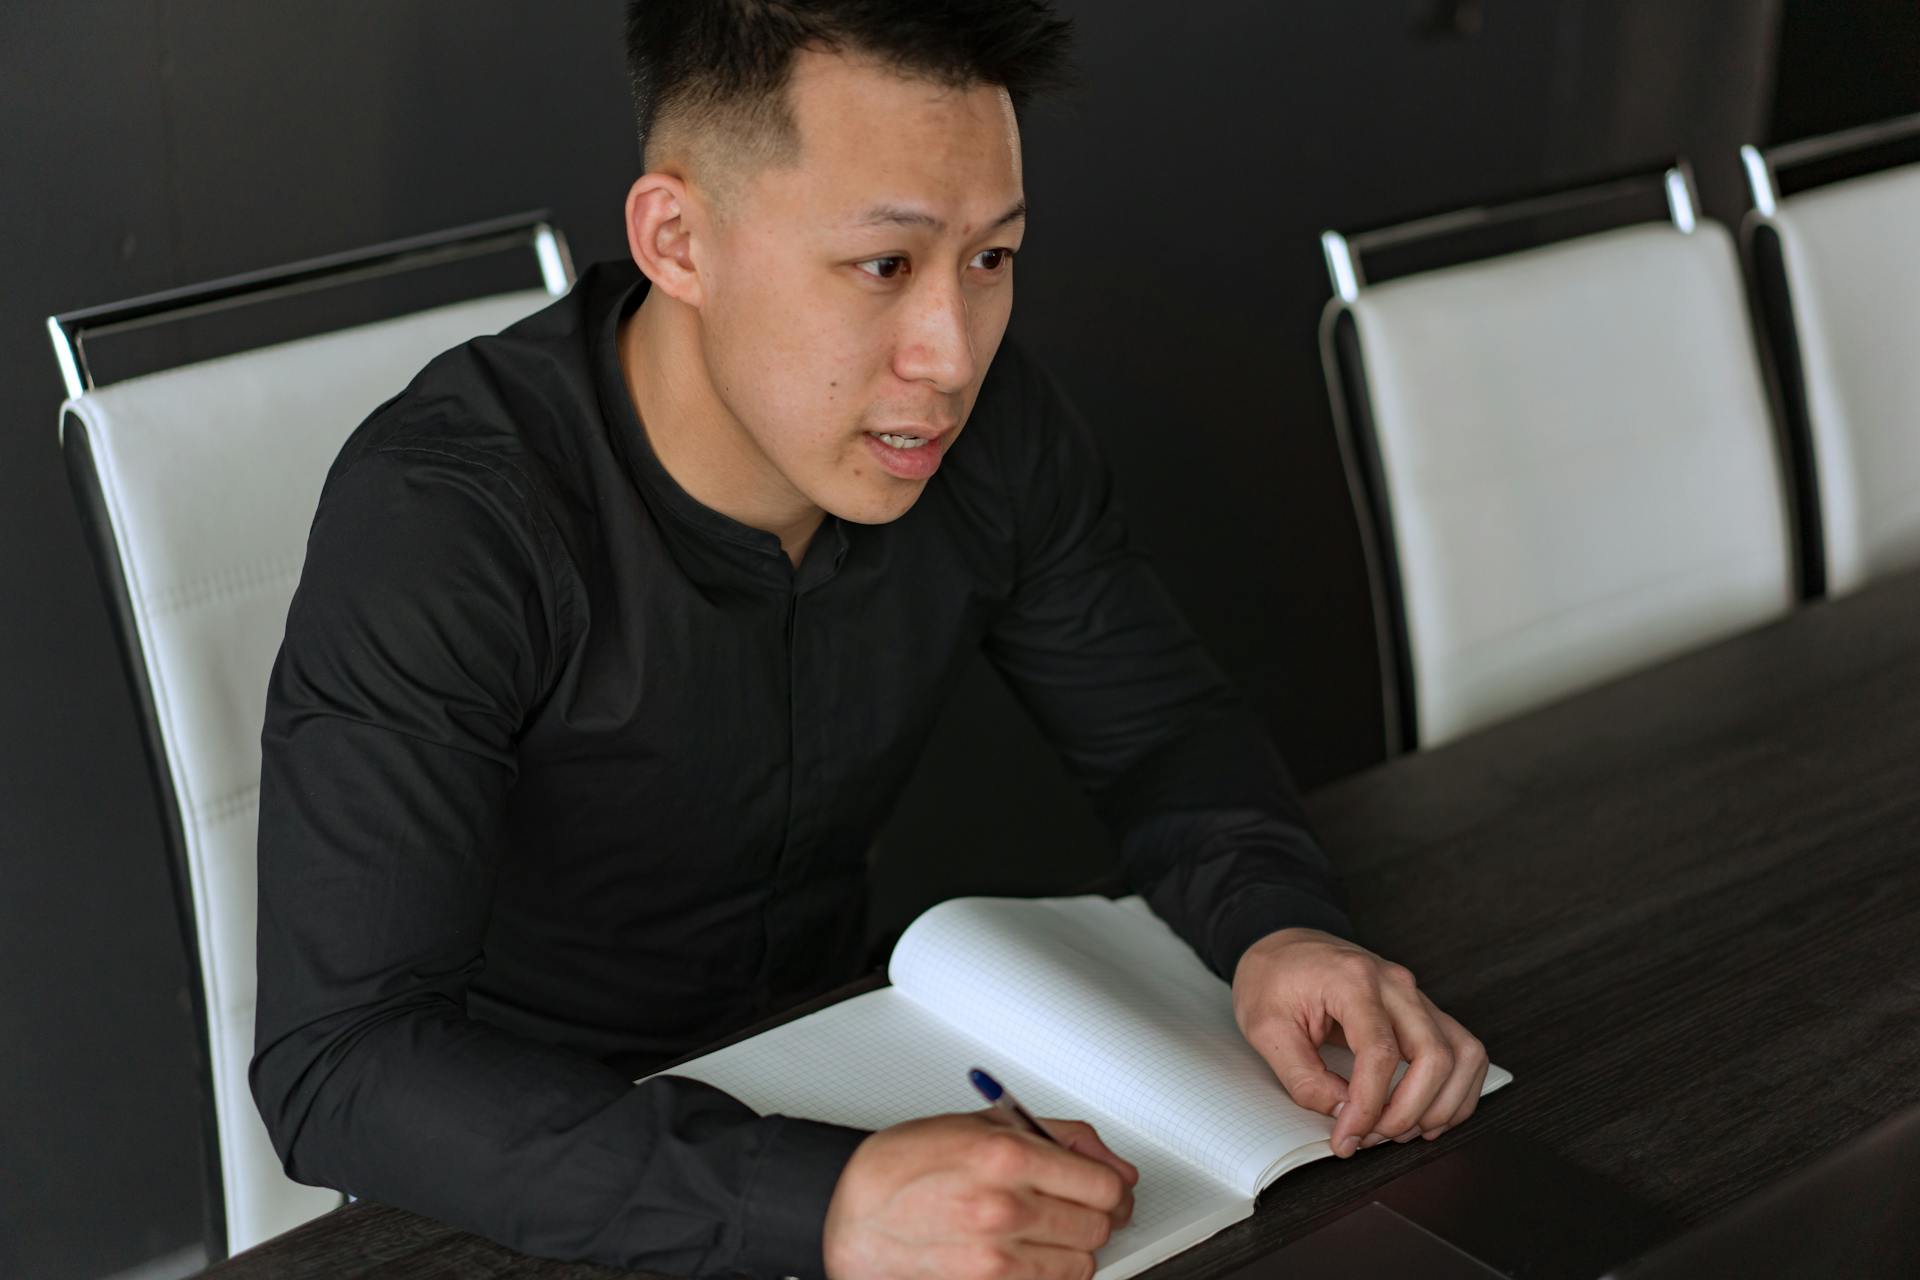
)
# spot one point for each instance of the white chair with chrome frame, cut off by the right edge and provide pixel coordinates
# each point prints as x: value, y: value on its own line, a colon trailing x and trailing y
x: 1838, y: 273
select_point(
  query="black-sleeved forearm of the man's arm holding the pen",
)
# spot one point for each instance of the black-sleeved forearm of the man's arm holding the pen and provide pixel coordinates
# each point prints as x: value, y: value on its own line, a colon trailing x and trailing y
x: 546, y: 1150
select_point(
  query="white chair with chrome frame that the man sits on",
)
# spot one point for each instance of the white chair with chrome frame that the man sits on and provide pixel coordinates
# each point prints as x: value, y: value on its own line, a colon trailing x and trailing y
x: 197, y: 490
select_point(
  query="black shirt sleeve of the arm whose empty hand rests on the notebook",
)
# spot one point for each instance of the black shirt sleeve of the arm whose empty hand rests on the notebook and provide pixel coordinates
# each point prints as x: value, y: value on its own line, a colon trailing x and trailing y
x: 1182, y: 772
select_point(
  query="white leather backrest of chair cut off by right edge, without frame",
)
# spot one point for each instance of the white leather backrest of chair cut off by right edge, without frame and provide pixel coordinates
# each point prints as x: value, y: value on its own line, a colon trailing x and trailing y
x: 1854, y: 270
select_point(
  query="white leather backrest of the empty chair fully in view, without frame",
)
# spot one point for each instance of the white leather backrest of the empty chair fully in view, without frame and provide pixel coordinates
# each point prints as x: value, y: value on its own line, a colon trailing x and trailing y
x: 1581, y: 465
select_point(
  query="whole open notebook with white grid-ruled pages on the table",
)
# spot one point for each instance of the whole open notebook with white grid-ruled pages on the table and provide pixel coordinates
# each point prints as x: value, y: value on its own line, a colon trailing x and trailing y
x: 1084, y: 1008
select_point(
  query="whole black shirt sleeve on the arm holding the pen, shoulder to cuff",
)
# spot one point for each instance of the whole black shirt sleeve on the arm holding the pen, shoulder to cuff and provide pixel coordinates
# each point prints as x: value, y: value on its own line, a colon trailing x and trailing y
x: 427, y: 625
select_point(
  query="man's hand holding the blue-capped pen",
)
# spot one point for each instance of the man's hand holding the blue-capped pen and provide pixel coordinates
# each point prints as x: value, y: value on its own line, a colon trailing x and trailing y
x: 974, y: 1198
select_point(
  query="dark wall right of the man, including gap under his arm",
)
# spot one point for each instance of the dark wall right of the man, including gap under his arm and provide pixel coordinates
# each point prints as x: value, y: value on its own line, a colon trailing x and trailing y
x: 1172, y: 277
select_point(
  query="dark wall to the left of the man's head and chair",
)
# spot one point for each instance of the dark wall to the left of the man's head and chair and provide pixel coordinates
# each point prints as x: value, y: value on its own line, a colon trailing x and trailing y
x: 147, y: 145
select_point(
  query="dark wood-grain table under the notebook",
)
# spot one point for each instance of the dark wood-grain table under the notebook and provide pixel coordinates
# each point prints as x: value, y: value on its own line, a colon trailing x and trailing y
x: 1683, y: 909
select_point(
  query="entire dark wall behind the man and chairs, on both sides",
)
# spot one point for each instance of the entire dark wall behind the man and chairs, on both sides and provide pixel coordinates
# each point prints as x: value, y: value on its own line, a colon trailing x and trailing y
x: 1172, y: 279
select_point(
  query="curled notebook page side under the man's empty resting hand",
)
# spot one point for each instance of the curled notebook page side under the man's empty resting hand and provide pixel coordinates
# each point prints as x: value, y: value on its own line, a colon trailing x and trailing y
x: 1105, y: 1001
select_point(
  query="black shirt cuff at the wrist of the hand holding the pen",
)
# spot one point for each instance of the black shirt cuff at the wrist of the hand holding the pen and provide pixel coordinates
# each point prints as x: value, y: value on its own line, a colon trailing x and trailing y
x: 786, y: 1204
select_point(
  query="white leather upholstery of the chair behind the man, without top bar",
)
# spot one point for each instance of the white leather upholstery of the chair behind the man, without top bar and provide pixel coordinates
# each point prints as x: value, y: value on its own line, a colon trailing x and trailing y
x: 210, y: 477
